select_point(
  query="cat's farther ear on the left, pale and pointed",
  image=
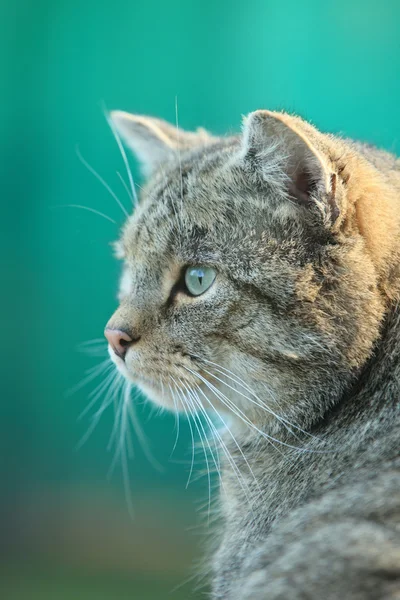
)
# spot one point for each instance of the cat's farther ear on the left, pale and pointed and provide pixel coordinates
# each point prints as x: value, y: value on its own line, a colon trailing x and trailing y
x: 154, y: 141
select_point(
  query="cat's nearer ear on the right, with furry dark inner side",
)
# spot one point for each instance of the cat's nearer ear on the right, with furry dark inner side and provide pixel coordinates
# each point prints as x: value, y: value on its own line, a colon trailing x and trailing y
x: 288, y: 151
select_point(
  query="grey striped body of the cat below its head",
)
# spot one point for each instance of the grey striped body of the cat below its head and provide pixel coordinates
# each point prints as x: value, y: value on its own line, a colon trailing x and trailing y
x: 328, y: 521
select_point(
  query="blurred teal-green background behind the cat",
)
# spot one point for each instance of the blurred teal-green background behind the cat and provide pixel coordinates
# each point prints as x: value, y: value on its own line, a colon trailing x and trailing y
x: 65, y: 531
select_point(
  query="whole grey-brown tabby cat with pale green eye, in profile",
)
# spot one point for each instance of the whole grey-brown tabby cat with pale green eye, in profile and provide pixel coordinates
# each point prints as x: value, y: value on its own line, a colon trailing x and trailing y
x: 261, y: 285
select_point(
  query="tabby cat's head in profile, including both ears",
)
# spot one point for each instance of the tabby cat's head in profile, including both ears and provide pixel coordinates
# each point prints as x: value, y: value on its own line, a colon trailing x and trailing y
x: 241, y: 288
